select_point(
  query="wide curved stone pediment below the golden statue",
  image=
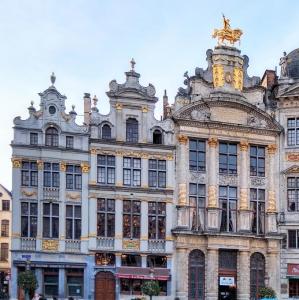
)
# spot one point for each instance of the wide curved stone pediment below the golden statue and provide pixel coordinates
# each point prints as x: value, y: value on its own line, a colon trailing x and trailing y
x: 226, y: 112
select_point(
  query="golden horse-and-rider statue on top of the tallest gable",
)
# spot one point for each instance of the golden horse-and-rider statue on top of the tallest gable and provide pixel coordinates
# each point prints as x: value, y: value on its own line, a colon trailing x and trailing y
x: 226, y: 33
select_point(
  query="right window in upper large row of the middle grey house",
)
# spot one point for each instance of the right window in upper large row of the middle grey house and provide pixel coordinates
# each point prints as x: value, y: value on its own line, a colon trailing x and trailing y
x: 157, y: 173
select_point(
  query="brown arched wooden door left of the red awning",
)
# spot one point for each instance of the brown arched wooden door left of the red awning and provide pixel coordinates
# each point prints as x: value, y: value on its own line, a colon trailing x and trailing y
x: 104, y: 286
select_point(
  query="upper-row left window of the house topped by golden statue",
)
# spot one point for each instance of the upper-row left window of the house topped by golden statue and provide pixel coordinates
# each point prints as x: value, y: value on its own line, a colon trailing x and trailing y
x: 197, y: 155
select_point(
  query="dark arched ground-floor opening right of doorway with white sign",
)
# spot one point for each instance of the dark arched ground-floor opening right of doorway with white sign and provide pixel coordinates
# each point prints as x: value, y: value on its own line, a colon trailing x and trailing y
x: 257, y: 274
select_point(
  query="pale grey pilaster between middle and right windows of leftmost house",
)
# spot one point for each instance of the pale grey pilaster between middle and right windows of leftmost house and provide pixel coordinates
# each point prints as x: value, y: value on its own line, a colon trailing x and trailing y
x: 62, y: 195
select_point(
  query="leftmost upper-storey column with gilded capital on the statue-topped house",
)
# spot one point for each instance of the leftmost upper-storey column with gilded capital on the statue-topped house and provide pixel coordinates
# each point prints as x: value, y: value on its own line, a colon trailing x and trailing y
x: 182, y: 184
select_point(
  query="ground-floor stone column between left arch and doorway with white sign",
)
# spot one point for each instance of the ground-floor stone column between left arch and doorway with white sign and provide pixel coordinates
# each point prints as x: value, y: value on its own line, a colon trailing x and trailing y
x: 212, y: 275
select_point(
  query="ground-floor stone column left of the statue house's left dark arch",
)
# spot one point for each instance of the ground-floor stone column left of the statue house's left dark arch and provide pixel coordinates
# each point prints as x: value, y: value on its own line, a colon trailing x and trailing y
x: 181, y: 275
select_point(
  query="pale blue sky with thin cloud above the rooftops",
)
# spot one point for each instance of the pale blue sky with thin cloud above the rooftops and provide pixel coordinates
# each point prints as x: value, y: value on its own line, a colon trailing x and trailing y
x: 88, y: 43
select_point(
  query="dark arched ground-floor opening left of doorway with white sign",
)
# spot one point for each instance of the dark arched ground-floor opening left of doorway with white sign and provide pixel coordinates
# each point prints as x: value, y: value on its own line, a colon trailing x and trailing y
x: 196, y: 275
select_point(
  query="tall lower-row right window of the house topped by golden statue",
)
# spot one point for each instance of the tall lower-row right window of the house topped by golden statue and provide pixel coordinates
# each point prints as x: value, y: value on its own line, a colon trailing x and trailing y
x: 257, y: 205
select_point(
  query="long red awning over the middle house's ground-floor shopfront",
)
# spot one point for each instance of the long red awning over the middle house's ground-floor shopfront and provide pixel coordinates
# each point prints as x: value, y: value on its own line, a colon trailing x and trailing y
x: 143, y: 273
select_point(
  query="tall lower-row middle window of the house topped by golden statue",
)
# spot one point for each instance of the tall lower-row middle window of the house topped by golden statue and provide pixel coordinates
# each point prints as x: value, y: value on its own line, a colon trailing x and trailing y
x: 228, y: 208
